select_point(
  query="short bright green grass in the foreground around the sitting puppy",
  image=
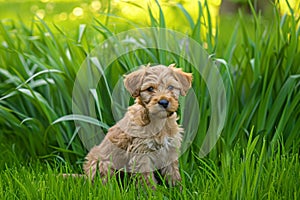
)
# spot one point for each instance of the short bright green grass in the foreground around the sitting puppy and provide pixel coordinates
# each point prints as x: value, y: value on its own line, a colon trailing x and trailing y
x: 251, y: 176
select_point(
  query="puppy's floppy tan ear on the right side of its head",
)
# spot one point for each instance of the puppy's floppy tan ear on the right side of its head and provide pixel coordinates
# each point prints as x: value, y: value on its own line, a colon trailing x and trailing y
x: 185, y: 79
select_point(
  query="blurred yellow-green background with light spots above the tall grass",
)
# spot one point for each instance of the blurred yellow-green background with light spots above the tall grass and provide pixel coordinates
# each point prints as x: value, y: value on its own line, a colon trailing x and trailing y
x: 120, y: 15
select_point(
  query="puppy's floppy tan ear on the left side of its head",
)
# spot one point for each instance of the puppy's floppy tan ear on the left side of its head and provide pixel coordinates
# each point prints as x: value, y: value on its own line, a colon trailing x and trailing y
x: 133, y: 81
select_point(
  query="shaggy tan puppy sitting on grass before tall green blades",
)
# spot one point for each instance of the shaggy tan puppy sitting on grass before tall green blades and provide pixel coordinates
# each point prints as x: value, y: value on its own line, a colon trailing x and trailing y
x: 148, y: 137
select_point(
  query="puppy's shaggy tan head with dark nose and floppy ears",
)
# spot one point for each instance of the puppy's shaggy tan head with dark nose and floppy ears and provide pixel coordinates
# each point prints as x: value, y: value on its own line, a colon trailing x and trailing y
x: 158, y: 88
